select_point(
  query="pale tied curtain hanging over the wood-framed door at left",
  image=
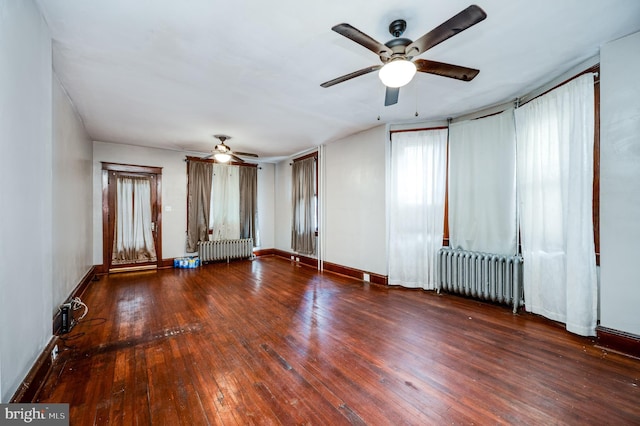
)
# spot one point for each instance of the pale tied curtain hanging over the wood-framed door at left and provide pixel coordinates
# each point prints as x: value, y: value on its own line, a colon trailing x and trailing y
x: 133, y: 242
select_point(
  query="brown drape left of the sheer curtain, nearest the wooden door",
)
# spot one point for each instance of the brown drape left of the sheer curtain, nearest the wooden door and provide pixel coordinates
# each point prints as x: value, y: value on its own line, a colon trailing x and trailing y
x: 200, y: 176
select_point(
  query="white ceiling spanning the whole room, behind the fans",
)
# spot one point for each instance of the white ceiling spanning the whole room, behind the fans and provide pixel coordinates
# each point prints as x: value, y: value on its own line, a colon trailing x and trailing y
x: 169, y: 74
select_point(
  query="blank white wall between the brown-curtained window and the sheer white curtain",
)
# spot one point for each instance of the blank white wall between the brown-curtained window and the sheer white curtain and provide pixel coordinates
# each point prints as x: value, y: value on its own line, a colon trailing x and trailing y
x: 354, y: 204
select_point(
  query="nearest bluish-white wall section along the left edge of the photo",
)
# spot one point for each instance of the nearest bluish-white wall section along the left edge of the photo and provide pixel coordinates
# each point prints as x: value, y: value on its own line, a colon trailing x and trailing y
x: 25, y: 191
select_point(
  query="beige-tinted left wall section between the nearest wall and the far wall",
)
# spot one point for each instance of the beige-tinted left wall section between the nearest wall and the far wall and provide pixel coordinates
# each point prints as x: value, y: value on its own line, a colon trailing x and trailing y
x: 72, y: 195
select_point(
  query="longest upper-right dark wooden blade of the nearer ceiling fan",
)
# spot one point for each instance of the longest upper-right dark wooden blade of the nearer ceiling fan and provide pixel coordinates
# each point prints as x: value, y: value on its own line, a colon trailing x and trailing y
x: 458, y: 23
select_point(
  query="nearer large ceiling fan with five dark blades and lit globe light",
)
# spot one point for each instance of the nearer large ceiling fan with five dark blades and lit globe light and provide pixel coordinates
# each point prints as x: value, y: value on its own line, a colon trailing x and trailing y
x: 397, y: 69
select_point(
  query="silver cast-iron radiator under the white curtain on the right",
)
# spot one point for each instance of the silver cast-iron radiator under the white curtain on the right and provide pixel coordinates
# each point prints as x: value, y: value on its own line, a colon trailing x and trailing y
x: 484, y: 276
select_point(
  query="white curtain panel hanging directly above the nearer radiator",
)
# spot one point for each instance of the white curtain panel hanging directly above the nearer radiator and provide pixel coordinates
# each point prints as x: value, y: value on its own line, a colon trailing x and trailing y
x: 482, y: 184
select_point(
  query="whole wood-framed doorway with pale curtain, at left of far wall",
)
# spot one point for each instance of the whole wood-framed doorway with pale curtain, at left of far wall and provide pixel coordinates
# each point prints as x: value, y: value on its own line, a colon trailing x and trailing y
x: 131, y: 217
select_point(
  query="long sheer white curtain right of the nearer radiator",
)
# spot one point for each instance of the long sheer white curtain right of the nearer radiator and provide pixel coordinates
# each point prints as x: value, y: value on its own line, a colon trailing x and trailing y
x: 555, y: 175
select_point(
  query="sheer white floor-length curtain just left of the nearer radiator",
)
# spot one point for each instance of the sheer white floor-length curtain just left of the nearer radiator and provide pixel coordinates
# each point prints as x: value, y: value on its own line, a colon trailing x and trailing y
x: 416, y: 212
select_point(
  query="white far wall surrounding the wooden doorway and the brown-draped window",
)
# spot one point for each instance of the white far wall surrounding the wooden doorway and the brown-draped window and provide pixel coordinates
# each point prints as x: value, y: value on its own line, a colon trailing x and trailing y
x: 174, y: 194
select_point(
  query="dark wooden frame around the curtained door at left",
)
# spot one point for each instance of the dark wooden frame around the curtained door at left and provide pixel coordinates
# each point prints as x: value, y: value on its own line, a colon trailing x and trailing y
x: 107, y: 232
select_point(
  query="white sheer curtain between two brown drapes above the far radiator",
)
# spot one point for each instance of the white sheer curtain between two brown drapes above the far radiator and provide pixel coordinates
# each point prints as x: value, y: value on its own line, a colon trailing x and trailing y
x: 225, y: 202
